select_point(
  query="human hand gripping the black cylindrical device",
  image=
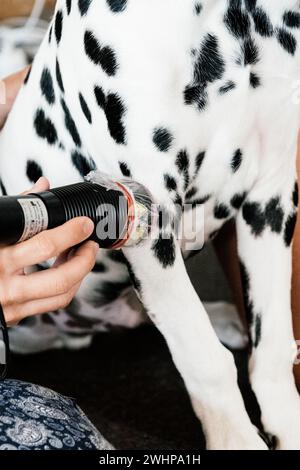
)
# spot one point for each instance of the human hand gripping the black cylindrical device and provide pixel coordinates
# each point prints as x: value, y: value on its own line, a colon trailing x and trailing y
x: 24, y: 295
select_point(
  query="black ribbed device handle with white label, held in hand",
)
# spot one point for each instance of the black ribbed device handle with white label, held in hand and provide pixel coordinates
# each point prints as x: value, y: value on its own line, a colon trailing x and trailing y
x: 21, y: 217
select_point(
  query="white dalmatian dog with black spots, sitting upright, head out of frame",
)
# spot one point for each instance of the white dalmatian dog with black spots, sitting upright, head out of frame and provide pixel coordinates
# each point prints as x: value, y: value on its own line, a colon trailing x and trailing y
x: 197, y: 101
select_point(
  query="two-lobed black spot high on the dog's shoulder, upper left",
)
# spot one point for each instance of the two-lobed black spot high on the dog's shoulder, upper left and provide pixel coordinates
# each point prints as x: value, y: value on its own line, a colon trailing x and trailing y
x: 100, y: 55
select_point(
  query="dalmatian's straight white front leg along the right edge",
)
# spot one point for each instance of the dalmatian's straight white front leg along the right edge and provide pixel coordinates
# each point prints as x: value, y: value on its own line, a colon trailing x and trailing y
x: 265, y: 228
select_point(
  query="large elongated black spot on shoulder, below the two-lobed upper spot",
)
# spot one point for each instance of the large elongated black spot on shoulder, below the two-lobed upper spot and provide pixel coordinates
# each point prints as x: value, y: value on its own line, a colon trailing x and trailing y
x: 114, y: 111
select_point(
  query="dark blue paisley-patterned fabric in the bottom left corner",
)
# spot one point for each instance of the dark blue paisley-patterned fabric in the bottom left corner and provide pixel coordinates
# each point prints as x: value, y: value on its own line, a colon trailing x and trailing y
x: 36, y: 418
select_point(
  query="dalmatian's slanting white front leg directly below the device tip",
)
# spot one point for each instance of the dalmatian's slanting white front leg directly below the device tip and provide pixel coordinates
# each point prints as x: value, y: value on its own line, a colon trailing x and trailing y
x: 206, y: 366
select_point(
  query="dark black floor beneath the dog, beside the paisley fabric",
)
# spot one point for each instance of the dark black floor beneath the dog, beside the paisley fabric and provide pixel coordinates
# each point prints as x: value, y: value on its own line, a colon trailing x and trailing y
x: 128, y: 386
